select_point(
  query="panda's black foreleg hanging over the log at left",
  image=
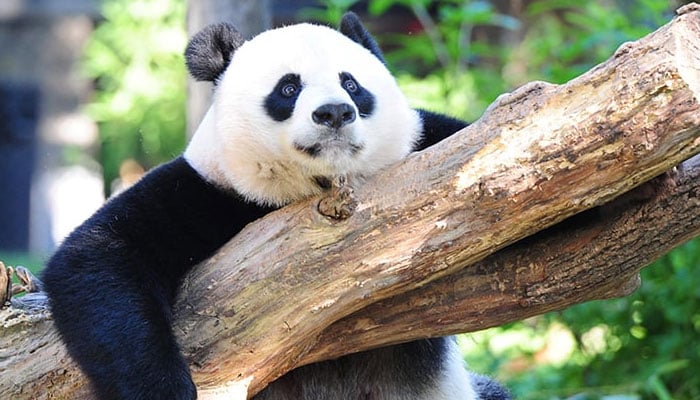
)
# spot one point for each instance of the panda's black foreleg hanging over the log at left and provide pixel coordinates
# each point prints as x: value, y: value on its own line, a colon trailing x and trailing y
x: 112, y: 282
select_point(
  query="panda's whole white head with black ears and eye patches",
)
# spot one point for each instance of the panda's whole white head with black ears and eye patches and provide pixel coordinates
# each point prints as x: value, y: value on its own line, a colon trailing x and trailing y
x: 296, y: 106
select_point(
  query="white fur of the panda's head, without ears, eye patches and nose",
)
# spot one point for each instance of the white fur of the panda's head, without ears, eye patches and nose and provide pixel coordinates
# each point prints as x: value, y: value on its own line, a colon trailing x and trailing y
x: 239, y: 146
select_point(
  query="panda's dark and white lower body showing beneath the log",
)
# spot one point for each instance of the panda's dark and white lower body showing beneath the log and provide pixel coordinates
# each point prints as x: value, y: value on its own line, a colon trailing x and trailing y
x: 427, y: 369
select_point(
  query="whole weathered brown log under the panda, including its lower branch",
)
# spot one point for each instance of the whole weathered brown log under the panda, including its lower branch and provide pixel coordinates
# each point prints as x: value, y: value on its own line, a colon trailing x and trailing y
x: 420, y: 255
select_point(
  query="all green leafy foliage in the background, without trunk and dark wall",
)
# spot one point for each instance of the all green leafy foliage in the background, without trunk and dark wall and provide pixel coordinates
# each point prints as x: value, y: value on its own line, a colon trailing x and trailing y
x: 644, y: 346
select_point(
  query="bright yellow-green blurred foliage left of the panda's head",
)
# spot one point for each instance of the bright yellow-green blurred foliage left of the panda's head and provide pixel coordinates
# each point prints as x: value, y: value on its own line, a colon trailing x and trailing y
x: 135, y: 57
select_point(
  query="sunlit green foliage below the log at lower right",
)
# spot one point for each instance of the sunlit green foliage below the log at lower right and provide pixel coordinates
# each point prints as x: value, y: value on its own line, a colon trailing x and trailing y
x: 642, y: 346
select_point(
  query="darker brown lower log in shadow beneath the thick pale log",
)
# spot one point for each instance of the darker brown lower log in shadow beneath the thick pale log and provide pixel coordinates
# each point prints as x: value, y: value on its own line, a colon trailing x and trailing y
x: 596, y: 255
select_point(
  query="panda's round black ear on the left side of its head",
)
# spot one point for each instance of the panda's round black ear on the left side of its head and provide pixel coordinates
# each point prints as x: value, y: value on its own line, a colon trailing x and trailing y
x: 210, y: 51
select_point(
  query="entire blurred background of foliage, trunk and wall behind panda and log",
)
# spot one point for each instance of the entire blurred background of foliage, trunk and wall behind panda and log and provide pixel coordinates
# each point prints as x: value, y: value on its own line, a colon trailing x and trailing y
x: 93, y: 93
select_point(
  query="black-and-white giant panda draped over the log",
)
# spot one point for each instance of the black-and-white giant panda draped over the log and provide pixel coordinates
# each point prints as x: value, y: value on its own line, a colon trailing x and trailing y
x: 293, y: 108
